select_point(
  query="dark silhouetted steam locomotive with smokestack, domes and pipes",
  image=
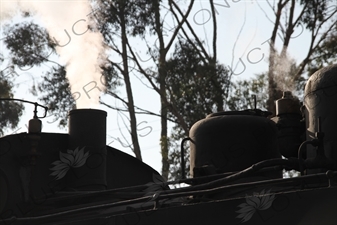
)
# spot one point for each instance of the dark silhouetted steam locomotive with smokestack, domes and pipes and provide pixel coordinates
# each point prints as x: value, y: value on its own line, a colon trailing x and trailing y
x: 236, y: 164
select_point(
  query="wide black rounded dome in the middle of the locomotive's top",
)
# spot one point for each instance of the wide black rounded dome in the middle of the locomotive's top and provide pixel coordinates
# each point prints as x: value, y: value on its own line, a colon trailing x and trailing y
x: 232, y: 142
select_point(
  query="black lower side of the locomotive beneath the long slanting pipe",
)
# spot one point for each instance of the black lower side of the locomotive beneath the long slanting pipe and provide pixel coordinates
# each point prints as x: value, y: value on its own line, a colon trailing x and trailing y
x: 297, y: 204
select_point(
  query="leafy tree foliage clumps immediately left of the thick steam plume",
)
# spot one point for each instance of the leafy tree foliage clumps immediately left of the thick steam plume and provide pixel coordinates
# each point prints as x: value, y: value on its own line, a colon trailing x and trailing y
x: 30, y: 45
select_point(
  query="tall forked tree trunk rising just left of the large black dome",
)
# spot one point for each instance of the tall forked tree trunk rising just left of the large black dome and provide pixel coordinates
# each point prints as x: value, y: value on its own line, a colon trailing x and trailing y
x: 157, y: 77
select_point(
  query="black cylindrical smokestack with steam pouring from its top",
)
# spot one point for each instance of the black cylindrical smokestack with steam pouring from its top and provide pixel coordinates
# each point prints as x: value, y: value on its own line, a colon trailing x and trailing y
x: 87, y: 140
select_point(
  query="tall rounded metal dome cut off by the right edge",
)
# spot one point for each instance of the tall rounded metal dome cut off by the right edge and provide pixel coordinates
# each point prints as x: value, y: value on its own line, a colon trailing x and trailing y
x: 320, y: 102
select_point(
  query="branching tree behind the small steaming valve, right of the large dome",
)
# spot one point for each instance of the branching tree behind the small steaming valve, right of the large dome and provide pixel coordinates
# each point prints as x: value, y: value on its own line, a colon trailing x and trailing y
x: 317, y: 17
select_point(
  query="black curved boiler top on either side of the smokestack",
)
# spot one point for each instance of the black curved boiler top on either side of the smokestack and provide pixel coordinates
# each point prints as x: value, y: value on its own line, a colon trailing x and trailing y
x: 122, y: 170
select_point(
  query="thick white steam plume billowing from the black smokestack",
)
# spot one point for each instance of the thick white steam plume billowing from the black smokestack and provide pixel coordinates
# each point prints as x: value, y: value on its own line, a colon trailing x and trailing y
x: 81, y: 50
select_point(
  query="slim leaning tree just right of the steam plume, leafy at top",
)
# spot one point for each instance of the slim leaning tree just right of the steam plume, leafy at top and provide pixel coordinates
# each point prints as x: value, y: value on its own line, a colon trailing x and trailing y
x: 118, y: 20
